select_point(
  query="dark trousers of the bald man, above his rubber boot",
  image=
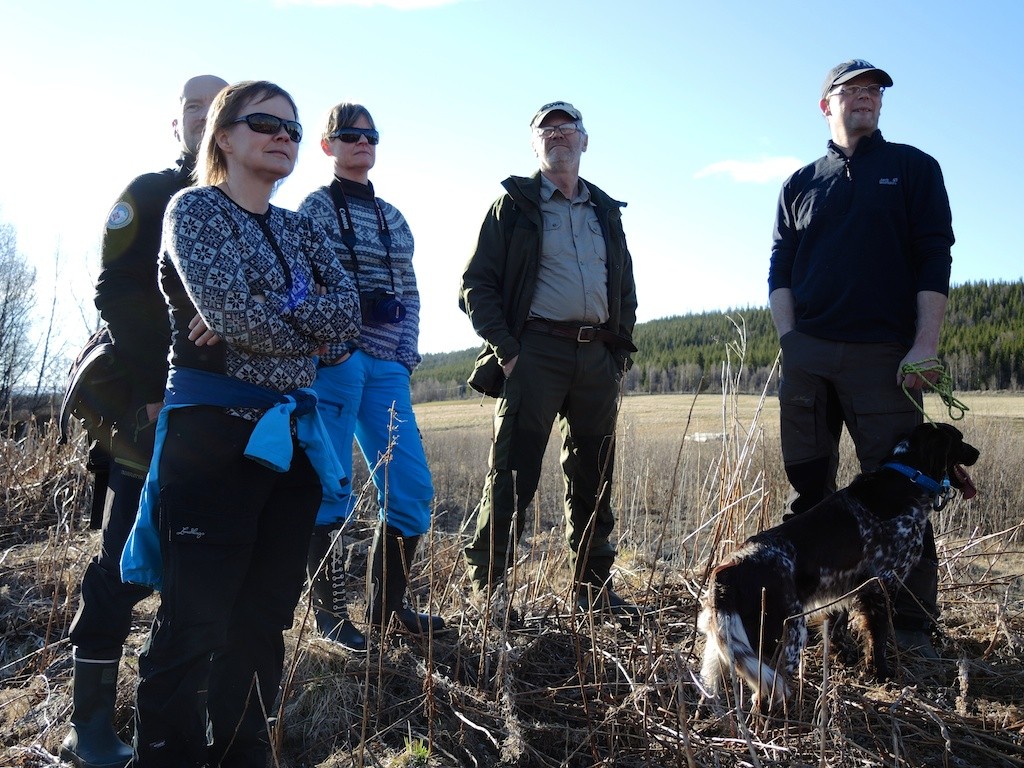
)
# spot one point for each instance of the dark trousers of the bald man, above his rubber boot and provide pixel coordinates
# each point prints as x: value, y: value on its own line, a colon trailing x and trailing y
x: 105, y: 610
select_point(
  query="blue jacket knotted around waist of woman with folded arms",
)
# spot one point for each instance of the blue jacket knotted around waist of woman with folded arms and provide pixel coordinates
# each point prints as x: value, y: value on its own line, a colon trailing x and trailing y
x: 270, y: 445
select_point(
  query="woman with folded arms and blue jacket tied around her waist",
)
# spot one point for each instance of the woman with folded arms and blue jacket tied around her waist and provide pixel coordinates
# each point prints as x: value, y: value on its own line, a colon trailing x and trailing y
x: 238, y: 472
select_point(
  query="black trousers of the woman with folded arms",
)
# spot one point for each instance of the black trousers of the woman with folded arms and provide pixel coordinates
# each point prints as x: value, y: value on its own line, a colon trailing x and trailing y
x: 234, y: 540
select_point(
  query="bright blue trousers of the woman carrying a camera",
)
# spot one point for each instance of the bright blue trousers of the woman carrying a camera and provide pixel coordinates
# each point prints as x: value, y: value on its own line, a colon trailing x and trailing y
x: 356, y: 400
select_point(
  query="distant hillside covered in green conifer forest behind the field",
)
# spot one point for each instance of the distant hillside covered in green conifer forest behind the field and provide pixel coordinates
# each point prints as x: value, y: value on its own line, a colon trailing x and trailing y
x: 983, y: 346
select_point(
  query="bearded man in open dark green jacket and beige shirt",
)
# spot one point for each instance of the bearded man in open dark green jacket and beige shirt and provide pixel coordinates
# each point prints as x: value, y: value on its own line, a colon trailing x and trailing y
x: 550, y: 290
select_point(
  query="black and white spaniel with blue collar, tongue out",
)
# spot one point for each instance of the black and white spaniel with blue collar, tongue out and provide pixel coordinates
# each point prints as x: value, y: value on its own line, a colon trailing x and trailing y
x: 870, y: 532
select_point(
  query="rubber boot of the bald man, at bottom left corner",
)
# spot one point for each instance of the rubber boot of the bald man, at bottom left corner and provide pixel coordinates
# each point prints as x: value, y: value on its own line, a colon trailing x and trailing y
x: 93, y: 743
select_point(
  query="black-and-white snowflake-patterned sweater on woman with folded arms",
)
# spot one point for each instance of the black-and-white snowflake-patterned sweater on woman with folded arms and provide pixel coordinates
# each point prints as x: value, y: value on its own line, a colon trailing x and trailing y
x: 217, y: 257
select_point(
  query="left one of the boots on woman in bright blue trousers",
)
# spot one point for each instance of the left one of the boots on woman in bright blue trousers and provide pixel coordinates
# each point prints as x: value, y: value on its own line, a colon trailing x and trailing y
x: 326, y: 571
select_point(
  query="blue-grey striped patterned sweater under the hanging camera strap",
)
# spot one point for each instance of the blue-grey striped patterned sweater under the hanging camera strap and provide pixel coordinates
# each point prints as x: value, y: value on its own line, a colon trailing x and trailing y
x: 390, y: 343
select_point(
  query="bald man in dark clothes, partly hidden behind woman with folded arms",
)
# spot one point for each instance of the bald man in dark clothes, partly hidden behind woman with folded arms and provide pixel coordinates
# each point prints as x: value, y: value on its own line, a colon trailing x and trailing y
x: 131, y: 304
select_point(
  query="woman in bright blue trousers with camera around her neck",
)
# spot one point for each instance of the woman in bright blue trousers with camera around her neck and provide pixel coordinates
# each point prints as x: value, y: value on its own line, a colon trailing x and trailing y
x: 365, y: 392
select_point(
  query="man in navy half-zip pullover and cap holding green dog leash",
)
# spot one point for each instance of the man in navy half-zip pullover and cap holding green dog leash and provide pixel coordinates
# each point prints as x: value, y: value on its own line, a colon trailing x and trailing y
x: 859, y: 283
